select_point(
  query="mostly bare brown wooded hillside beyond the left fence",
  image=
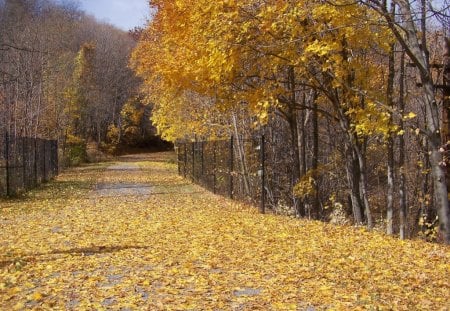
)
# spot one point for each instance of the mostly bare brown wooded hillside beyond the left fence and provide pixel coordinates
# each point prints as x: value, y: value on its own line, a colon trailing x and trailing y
x: 62, y: 74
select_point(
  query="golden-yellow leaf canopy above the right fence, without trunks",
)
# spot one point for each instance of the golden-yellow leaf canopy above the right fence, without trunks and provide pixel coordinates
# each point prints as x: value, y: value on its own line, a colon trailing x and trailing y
x: 223, y: 43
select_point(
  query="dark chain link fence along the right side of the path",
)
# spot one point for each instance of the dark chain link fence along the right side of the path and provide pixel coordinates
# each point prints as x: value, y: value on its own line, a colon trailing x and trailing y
x: 248, y: 170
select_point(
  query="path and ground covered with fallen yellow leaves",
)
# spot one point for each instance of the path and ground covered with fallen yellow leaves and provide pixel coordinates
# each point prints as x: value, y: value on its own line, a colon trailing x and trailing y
x: 133, y: 235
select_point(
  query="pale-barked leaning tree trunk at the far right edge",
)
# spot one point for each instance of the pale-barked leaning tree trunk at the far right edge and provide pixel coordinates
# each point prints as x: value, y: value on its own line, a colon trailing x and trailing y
x: 413, y: 40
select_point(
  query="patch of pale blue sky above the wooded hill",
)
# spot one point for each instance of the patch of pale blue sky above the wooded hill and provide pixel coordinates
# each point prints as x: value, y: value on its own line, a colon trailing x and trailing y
x: 125, y: 14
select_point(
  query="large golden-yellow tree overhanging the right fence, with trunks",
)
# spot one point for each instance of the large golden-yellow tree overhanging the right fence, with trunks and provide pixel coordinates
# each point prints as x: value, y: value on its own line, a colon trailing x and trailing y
x: 264, y: 55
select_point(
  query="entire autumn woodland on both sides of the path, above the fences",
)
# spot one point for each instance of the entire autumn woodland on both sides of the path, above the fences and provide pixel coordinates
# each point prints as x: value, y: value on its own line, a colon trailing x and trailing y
x: 350, y: 94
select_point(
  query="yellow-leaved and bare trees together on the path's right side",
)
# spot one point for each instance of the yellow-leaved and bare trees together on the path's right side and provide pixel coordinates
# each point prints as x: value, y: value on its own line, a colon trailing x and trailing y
x: 328, y: 79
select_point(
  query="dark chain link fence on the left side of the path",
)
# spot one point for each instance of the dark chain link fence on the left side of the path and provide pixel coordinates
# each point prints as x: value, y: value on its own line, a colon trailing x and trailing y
x: 25, y: 163
